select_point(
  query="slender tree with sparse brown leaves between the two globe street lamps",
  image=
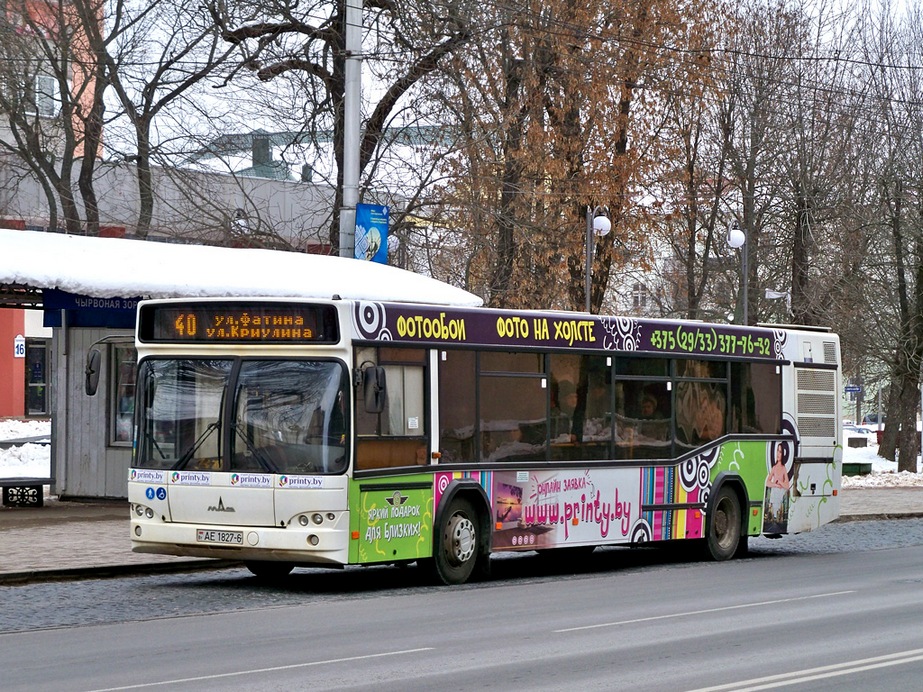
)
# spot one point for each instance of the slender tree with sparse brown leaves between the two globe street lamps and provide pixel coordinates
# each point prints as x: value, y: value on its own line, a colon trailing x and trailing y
x: 688, y: 185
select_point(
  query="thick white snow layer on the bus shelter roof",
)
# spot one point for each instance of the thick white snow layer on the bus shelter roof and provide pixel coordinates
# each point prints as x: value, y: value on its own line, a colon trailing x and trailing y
x: 117, y: 267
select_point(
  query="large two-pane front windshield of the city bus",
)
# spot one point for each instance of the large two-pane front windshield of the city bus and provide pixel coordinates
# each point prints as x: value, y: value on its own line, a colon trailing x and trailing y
x: 261, y: 416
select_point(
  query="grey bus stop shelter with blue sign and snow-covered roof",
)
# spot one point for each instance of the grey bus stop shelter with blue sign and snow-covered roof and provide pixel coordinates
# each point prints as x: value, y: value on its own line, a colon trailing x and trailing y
x: 89, y: 289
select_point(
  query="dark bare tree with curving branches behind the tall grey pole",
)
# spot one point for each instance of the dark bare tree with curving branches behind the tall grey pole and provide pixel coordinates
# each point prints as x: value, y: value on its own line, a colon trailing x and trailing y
x: 307, y: 42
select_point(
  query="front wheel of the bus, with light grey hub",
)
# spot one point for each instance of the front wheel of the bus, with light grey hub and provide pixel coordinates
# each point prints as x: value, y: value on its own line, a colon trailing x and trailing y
x: 456, y: 549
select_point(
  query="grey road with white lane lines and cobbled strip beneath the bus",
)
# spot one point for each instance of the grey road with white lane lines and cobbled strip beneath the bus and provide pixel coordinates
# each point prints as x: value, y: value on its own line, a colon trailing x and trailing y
x: 839, y: 608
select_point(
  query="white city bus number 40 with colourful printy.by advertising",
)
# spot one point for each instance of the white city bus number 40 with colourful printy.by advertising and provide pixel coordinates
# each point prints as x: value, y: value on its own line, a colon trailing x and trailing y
x: 286, y: 433
